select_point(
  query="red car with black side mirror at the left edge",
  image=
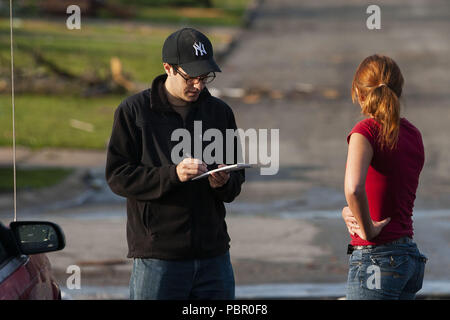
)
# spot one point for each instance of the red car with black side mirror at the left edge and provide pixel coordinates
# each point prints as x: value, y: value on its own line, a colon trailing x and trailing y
x: 24, y: 268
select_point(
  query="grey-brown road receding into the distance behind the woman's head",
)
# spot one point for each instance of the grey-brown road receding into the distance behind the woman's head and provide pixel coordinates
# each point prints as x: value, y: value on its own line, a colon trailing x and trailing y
x: 299, y: 58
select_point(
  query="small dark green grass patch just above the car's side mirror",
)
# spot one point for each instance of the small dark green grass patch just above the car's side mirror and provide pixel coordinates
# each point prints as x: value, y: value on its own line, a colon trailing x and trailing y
x: 31, y: 178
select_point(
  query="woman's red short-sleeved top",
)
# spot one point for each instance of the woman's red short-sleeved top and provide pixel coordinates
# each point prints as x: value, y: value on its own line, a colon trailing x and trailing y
x: 392, y: 180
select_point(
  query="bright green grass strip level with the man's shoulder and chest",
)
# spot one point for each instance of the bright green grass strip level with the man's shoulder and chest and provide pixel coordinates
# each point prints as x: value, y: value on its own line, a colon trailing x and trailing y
x: 45, y: 121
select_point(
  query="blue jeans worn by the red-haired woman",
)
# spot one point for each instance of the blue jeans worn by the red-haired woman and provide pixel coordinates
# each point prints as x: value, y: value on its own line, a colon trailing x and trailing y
x: 386, y: 272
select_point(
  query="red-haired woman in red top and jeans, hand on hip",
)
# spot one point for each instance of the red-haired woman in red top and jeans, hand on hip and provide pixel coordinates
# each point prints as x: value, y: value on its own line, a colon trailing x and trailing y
x: 385, y: 158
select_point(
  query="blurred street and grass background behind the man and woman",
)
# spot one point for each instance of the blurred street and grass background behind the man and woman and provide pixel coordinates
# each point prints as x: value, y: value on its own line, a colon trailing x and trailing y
x: 286, y: 65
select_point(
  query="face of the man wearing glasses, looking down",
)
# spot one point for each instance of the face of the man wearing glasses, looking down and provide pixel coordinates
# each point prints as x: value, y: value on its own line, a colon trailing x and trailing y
x: 188, y: 91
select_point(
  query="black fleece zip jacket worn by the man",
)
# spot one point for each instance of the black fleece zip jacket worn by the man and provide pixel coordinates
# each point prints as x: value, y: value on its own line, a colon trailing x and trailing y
x: 166, y: 218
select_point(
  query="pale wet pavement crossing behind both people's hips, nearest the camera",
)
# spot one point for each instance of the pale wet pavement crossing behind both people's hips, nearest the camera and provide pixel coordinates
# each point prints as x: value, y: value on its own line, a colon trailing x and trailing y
x: 291, y: 255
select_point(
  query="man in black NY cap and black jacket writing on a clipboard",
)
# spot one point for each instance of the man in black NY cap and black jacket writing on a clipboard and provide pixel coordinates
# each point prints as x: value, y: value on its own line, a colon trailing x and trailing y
x: 176, y: 228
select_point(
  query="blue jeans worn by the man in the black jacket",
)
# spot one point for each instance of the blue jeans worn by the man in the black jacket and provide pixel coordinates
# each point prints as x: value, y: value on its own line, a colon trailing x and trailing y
x: 202, y: 279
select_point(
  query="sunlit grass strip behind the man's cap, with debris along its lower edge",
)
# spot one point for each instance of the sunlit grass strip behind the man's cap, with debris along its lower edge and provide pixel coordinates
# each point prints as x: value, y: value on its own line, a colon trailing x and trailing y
x: 90, y: 49
